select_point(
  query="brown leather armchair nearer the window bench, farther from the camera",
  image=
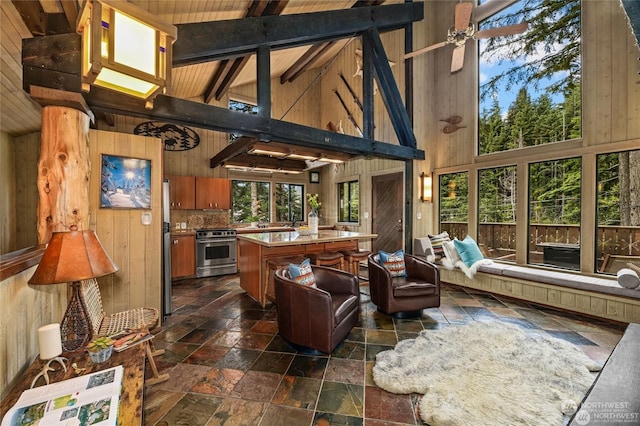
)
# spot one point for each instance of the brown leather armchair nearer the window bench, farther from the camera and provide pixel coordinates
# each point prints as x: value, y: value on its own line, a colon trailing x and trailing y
x: 404, y: 296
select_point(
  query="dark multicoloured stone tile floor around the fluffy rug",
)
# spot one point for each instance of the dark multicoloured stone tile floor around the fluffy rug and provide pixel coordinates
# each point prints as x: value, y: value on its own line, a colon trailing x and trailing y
x: 228, y: 365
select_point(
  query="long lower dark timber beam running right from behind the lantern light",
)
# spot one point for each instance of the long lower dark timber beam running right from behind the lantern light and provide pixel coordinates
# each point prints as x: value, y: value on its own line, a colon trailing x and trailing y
x: 196, y: 114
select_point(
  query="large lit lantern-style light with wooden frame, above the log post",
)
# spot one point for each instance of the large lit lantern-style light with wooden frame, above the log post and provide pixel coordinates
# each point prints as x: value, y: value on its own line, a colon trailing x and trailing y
x: 125, y: 48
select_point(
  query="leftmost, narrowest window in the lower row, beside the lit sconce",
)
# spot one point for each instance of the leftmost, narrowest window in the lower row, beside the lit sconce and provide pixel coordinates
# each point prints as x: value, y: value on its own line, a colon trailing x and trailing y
x: 454, y: 203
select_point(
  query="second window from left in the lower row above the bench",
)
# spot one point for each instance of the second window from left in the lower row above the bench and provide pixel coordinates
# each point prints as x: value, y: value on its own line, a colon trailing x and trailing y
x: 497, y: 211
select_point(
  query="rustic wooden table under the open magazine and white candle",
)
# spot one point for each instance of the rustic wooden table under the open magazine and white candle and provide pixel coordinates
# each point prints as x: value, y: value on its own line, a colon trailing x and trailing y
x: 132, y: 359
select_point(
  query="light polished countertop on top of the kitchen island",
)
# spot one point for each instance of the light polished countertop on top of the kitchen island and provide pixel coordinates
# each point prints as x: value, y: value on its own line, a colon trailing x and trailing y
x: 275, y: 239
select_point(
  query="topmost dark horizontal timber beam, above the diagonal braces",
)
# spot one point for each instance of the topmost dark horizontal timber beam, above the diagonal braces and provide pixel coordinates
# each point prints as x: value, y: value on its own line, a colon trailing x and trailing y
x: 211, y: 41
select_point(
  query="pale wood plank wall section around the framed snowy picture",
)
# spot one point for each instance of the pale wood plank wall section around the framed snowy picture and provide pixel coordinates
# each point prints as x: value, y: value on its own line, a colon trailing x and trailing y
x: 134, y: 247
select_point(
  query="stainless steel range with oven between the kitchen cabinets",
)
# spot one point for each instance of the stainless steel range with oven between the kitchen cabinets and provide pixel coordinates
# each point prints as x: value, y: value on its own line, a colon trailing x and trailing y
x: 216, y: 251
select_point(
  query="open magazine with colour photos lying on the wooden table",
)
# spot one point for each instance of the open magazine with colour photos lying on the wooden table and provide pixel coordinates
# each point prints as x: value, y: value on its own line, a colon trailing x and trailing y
x: 86, y: 400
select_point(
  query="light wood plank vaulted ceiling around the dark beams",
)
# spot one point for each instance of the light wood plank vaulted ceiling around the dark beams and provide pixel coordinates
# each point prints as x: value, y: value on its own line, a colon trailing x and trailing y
x: 203, y: 82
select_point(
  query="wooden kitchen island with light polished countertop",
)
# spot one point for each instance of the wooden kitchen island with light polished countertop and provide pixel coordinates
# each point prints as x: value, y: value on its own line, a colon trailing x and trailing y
x: 255, y: 249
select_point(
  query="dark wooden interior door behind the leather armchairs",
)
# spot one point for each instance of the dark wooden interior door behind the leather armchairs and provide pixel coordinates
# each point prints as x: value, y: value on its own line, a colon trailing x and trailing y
x: 387, y: 212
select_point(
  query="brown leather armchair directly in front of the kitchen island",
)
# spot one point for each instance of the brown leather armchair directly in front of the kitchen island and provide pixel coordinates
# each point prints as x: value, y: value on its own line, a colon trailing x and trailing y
x: 317, y: 318
